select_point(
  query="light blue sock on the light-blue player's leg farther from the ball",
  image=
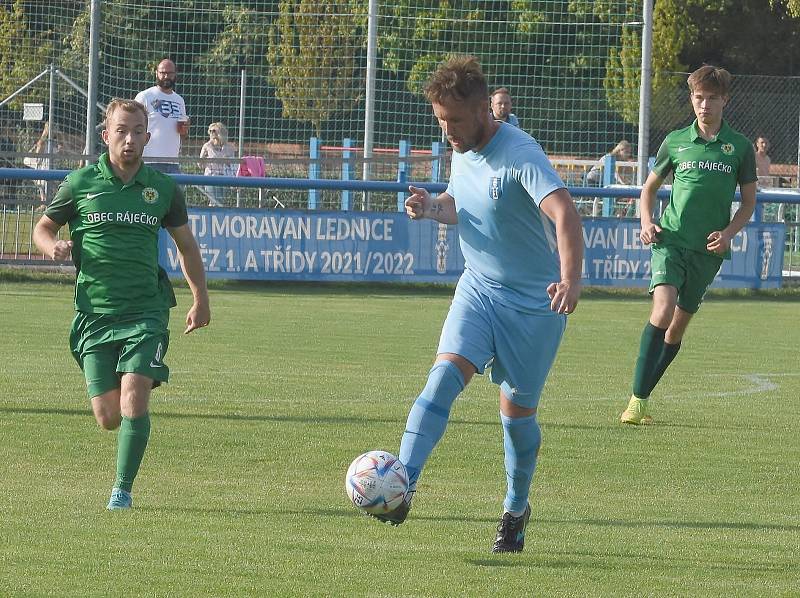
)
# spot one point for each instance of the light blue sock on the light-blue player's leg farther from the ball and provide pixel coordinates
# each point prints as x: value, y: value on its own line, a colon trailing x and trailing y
x: 522, y: 438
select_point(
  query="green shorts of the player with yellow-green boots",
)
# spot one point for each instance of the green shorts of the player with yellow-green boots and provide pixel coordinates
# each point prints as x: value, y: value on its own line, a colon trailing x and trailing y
x: 691, y: 272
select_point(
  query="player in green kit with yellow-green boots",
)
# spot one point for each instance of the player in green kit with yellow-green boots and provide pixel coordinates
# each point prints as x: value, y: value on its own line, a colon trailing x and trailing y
x: 708, y: 160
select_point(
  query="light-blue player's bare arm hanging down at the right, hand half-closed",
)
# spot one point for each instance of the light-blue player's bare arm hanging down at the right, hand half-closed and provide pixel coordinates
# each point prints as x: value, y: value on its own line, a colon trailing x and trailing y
x: 560, y: 208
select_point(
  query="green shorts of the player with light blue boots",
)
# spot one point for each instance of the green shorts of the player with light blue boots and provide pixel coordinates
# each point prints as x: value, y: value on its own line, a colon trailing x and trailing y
x: 107, y: 346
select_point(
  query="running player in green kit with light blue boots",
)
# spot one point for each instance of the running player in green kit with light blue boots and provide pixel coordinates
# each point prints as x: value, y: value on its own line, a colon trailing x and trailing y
x: 115, y: 209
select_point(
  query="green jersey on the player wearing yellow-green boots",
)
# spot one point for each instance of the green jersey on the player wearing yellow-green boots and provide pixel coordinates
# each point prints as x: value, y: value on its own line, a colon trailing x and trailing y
x: 705, y: 177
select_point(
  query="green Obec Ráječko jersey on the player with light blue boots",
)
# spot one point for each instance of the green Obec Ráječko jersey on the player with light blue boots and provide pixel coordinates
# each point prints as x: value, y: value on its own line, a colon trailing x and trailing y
x: 114, y: 229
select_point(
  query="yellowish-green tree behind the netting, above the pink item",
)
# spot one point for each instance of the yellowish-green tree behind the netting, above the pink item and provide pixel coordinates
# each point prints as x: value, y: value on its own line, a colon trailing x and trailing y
x: 314, y: 49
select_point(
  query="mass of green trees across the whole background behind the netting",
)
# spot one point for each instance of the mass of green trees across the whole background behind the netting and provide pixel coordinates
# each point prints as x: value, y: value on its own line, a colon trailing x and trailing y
x: 577, y: 57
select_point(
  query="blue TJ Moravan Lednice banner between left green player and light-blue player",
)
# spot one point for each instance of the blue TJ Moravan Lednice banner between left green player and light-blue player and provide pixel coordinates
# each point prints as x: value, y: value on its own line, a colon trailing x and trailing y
x: 320, y: 246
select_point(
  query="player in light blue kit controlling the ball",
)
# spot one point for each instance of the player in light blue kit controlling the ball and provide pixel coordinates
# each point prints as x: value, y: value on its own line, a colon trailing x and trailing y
x: 522, y: 244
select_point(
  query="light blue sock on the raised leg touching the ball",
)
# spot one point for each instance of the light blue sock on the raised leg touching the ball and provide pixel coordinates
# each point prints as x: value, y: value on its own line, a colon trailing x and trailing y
x: 428, y: 417
